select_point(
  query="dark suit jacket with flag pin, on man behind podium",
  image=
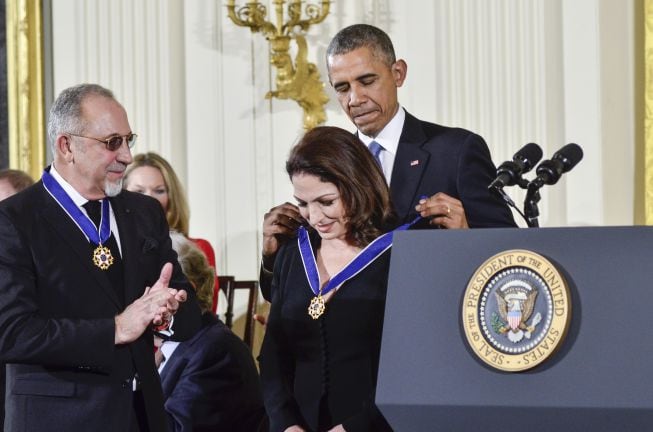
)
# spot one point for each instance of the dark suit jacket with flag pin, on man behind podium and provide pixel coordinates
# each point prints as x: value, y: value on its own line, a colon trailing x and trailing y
x: 432, y: 158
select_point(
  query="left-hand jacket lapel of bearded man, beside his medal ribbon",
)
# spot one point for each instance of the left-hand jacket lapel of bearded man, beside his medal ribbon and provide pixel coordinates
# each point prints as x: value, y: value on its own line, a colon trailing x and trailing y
x: 71, y: 235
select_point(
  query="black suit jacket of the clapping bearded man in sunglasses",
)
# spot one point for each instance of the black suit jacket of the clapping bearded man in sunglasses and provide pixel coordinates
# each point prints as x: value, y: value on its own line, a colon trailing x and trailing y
x: 57, y: 315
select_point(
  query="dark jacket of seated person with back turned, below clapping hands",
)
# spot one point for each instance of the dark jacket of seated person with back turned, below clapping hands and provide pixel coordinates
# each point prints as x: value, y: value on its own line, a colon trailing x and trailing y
x: 210, y: 383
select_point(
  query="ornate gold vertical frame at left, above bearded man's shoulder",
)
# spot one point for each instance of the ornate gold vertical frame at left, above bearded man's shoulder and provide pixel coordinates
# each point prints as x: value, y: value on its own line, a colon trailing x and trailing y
x: 25, y: 86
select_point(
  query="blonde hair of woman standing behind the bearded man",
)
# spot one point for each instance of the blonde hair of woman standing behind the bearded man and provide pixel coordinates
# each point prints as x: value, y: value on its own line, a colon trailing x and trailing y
x: 178, y: 213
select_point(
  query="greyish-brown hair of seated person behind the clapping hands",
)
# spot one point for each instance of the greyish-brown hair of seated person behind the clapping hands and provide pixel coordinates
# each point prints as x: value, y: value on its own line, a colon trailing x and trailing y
x: 196, y: 268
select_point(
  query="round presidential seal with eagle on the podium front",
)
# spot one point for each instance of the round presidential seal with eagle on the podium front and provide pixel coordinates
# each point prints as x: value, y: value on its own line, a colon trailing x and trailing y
x: 516, y: 310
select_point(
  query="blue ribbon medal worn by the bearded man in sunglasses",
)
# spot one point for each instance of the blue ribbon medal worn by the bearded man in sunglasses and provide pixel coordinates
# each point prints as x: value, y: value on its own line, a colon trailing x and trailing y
x: 102, y: 256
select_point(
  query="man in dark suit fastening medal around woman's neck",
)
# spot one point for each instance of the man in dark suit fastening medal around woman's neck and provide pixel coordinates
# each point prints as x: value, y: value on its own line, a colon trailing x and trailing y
x: 437, y: 172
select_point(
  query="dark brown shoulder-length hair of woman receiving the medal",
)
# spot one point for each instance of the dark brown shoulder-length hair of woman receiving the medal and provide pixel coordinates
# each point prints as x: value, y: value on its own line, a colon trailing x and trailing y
x: 336, y: 156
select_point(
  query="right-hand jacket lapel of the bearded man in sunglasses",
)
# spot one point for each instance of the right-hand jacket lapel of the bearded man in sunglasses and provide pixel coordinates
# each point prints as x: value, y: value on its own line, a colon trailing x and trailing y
x: 129, y: 247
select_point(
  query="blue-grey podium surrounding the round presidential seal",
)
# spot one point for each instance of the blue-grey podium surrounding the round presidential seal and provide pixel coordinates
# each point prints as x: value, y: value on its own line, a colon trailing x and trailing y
x: 599, y: 380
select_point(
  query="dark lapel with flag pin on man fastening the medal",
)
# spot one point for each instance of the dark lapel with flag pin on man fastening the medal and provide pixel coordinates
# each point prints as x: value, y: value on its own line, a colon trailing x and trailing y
x: 410, y: 164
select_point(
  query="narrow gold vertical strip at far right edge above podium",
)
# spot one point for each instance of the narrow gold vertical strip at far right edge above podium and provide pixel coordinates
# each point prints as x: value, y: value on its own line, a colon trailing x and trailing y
x: 648, y: 112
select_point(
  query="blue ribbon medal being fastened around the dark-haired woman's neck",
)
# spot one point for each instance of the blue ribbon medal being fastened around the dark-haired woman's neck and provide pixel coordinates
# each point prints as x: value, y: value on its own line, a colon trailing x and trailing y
x: 364, y: 258
